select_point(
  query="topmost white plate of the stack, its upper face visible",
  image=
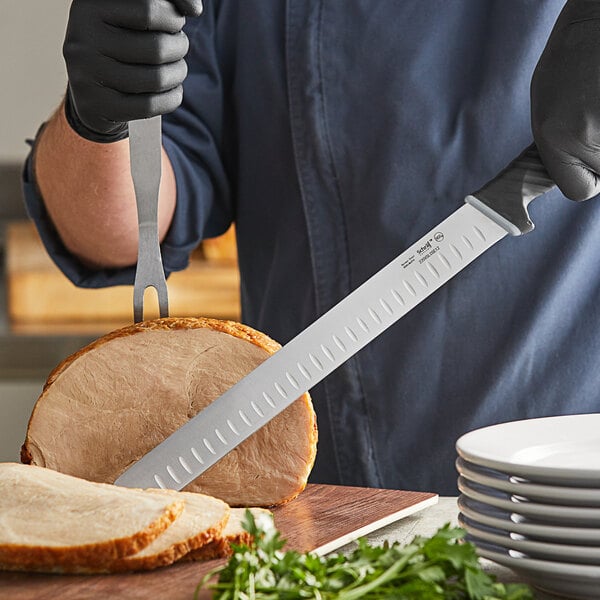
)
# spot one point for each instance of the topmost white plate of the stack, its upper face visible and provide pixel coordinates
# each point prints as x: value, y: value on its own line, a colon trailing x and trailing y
x: 556, y: 450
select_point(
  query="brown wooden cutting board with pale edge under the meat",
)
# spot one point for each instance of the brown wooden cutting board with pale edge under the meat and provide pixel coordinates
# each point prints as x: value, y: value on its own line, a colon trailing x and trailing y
x: 322, y: 518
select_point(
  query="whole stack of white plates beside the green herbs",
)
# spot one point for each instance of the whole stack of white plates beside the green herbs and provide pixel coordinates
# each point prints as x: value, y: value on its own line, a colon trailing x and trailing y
x: 530, y: 500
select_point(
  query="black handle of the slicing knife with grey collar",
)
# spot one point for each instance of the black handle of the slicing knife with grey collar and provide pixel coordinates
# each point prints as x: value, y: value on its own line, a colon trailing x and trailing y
x: 506, y: 197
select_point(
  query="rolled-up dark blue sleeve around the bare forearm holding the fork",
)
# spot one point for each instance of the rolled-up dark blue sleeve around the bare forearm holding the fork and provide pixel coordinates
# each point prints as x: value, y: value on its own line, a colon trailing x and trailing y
x: 192, y: 137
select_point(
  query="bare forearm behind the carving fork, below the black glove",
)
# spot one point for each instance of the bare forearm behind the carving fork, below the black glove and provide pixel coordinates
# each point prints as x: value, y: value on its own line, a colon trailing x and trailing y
x: 89, y: 195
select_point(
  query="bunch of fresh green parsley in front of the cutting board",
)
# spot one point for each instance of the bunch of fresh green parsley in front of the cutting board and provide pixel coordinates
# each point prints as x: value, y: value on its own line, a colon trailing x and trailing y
x: 443, y: 567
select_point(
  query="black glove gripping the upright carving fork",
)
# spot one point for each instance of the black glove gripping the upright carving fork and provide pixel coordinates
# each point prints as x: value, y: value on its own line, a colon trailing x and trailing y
x: 125, y: 61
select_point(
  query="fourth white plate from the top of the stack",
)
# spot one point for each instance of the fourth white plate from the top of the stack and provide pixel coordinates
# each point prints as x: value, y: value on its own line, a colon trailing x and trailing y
x: 494, y: 517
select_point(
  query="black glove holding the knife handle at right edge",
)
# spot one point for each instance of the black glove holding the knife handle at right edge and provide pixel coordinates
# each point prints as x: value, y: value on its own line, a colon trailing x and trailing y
x: 565, y: 101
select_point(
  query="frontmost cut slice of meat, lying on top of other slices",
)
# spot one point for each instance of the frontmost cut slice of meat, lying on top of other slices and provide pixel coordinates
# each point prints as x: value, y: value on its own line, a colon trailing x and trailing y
x: 54, y: 522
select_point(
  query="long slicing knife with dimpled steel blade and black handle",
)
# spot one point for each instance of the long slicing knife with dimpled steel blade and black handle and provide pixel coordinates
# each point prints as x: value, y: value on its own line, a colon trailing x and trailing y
x: 497, y: 209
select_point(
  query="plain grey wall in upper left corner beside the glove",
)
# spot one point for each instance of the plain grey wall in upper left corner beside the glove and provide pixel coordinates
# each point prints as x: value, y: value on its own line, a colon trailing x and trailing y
x: 32, y: 73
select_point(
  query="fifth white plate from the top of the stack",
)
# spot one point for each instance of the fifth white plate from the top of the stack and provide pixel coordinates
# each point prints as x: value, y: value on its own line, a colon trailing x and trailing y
x: 589, y: 555
